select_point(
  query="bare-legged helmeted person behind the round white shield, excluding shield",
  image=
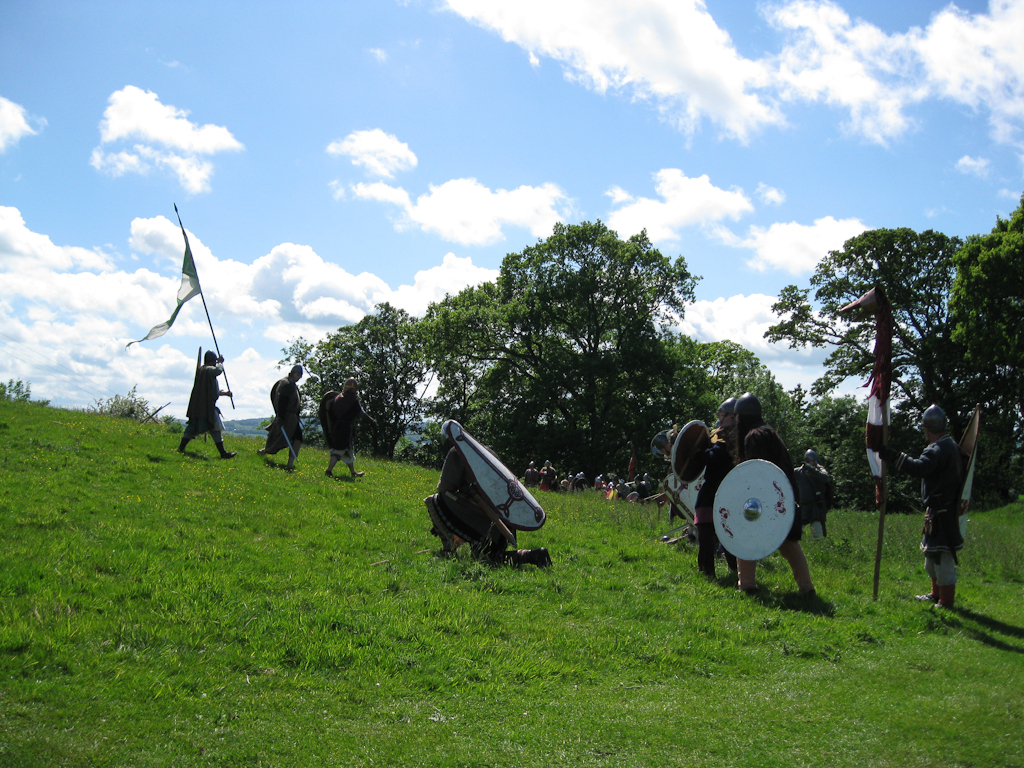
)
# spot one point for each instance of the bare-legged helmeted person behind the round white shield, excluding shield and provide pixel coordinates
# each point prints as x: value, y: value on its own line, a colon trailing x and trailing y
x: 753, y: 439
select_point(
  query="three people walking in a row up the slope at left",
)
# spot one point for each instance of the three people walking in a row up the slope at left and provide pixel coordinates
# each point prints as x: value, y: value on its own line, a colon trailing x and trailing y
x: 338, y: 414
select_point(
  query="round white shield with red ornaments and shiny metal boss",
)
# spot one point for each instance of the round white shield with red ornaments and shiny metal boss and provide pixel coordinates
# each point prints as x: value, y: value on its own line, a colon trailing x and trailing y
x: 754, y: 509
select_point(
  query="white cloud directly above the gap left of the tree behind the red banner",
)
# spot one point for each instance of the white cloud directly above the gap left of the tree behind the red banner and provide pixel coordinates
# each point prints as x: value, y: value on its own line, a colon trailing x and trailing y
x: 792, y: 247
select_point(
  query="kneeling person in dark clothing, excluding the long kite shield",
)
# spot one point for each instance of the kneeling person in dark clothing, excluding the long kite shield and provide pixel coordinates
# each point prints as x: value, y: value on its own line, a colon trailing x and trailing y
x: 458, y: 518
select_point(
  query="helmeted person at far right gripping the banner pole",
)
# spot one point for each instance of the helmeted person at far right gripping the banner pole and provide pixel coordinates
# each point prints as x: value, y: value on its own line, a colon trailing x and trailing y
x: 942, y: 472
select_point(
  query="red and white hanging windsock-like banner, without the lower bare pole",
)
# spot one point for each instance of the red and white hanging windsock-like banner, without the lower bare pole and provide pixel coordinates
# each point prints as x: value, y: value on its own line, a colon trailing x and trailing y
x: 875, y: 302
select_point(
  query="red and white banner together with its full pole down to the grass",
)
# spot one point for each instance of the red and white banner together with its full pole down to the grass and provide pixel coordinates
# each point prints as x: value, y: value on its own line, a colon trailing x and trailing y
x: 877, y: 433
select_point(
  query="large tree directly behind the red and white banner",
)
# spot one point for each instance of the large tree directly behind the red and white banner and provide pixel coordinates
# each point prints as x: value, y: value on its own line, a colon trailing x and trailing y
x: 931, y: 363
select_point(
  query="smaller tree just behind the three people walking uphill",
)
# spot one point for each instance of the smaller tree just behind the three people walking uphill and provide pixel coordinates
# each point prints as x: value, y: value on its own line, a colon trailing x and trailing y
x: 385, y: 352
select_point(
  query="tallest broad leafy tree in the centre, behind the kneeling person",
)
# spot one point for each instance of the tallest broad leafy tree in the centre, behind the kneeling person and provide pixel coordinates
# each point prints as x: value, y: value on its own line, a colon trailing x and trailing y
x: 569, y: 355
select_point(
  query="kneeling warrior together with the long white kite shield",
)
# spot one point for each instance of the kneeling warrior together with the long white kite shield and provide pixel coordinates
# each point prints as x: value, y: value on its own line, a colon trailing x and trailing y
x: 481, y: 502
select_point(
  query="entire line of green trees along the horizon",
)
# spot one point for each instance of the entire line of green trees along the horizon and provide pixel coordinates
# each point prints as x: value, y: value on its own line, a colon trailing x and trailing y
x: 571, y: 355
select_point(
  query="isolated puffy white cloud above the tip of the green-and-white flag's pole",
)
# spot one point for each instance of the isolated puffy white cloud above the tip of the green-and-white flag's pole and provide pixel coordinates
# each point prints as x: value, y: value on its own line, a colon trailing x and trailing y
x: 135, y: 114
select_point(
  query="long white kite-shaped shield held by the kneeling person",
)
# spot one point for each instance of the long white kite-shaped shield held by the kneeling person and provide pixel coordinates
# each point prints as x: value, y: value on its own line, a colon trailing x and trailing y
x: 500, y: 489
